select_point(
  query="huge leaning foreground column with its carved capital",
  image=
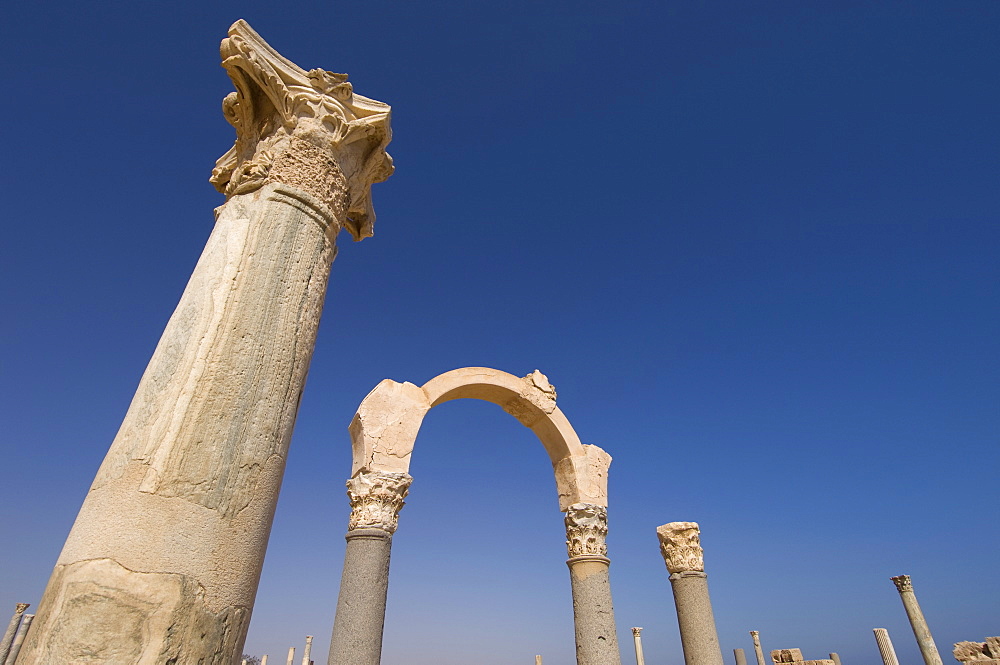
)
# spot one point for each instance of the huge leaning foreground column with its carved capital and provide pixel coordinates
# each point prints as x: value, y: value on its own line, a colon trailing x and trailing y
x: 163, y: 561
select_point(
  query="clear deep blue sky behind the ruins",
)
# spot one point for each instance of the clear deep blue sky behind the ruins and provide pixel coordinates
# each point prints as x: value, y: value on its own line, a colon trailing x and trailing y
x: 753, y: 245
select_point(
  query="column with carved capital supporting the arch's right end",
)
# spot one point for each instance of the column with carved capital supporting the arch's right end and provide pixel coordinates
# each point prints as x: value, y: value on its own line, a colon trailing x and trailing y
x: 593, y: 612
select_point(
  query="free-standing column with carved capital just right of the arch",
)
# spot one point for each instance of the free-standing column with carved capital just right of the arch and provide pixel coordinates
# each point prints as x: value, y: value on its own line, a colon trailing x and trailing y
x: 682, y: 552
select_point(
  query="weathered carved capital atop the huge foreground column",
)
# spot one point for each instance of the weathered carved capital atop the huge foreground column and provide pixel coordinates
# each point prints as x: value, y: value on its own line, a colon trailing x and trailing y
x: 304, y: 129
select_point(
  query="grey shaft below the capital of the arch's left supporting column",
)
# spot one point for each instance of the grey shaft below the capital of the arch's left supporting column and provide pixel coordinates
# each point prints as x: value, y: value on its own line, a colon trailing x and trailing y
x: 357, y: 628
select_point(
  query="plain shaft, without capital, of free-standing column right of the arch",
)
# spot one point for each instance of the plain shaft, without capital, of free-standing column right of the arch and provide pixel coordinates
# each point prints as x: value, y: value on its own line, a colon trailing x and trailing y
x: 695, y: 619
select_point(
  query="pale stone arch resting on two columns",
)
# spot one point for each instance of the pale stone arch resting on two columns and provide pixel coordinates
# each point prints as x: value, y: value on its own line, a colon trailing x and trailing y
x: 385, y: 427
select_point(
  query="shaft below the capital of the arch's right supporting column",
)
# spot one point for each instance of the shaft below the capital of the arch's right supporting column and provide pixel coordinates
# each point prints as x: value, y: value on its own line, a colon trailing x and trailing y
x: 593, y: 612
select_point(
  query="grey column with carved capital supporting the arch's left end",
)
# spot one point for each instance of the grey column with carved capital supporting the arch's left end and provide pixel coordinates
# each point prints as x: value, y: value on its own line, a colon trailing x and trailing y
x: 376, y: 499
